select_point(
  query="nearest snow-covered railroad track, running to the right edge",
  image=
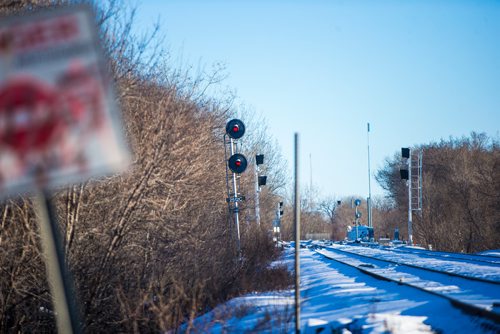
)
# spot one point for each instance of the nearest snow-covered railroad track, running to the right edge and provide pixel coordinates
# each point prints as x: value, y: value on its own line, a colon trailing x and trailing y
x: 472, y: 295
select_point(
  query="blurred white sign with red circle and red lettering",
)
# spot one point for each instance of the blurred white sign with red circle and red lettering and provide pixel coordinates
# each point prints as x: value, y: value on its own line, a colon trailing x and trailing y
x: 59, y: 120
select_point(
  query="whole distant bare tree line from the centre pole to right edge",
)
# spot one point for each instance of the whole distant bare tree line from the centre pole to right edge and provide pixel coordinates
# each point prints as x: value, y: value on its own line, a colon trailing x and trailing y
x: 460, y: 199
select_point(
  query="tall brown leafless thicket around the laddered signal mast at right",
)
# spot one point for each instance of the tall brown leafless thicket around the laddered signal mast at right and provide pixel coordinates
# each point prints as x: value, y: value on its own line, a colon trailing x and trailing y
x: 461, y: 188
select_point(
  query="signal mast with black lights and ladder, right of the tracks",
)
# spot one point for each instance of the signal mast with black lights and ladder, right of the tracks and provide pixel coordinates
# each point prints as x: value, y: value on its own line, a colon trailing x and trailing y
x: 411, y: 171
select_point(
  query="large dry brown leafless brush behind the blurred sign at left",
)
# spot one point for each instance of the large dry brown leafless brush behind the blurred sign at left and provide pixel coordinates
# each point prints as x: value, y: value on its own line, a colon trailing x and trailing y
x: 151, y: 248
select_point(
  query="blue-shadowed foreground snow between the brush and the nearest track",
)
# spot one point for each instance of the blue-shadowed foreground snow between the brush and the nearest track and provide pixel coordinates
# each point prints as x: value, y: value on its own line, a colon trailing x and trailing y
x: 334, y: 296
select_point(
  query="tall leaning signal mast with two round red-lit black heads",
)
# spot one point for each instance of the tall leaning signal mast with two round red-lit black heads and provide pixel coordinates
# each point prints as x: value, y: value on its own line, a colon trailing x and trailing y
x: 236, y: 164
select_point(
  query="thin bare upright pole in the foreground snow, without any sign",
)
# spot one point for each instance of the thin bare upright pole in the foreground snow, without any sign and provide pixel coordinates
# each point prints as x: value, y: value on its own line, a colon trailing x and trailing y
x: 297, y: 237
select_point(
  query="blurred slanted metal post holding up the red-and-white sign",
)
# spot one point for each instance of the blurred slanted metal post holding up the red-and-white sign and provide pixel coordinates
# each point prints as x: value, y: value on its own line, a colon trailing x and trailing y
x: 61, y: 287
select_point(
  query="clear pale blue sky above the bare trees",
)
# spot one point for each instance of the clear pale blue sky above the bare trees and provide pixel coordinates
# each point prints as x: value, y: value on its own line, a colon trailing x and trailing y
x: 418, y: 71
